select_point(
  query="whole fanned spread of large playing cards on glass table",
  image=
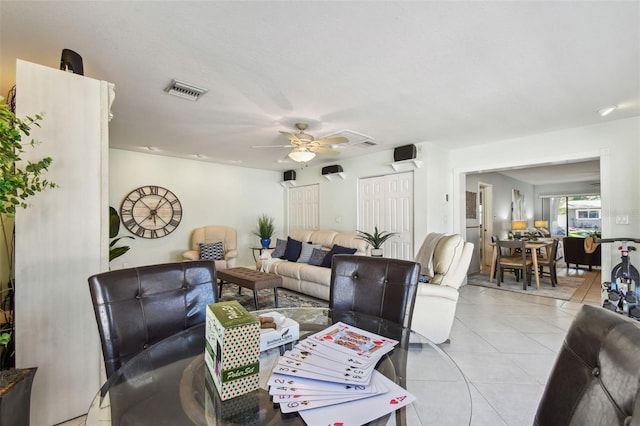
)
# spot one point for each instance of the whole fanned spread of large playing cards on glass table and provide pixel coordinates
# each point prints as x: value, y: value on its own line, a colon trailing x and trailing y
x: 330, y: 378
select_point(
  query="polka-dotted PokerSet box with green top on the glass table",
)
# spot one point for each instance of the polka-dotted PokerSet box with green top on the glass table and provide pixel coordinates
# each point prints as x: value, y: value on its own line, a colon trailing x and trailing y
x: 232, y: 349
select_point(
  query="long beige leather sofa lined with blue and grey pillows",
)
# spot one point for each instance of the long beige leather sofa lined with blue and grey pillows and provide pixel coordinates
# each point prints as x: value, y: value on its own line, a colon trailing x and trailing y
x: 302, y: 277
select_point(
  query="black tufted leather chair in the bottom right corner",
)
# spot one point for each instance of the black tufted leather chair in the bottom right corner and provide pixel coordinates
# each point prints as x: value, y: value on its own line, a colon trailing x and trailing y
x: 596, y: 376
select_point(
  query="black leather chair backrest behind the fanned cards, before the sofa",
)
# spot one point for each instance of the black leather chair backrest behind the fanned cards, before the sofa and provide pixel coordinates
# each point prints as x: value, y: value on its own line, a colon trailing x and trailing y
x: 376, y: 286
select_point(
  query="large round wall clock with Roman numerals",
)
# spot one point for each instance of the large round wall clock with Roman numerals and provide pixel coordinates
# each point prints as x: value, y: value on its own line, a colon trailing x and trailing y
x: 151, y: 211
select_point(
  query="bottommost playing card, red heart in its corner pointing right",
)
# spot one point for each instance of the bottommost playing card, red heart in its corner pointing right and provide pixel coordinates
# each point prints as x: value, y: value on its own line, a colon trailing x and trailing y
x: 359, y: 412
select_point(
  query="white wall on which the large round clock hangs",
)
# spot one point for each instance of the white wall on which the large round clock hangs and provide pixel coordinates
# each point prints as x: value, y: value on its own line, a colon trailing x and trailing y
x: 210, y: 194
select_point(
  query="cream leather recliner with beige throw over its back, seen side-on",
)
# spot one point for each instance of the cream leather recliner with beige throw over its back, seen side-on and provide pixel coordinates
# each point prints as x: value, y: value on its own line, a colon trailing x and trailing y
x: 445, y: 260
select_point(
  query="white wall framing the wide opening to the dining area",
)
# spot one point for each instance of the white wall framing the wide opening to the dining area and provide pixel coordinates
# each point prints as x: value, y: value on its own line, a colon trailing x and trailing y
x: 617, y: 143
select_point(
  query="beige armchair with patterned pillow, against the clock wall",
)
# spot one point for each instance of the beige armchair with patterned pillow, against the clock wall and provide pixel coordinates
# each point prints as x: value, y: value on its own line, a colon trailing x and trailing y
x: 215, y: 234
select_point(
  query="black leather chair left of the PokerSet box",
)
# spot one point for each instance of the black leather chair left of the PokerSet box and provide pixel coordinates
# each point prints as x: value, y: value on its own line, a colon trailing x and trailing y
x: 138, y: 307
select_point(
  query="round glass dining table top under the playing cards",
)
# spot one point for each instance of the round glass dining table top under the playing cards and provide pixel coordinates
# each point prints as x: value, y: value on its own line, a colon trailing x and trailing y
x: 165, y: 384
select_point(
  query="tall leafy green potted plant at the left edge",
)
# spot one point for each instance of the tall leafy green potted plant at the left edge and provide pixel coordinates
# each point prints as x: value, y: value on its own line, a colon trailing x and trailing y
x: 18, y: 180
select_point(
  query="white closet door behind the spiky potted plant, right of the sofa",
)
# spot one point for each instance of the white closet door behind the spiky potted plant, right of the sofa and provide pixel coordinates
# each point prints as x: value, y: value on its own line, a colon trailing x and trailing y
x: 387, y: 202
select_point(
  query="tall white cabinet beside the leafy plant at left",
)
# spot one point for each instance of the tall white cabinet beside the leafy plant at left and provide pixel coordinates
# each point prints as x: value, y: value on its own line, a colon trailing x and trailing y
x: 62, y: 239
